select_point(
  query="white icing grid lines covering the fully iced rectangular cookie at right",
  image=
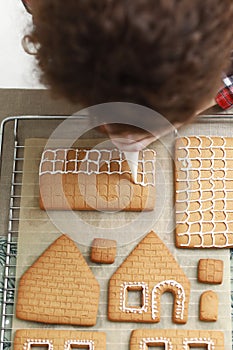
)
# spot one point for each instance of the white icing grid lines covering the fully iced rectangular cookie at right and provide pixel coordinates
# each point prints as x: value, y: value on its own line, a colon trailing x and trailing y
x: 199, y: 227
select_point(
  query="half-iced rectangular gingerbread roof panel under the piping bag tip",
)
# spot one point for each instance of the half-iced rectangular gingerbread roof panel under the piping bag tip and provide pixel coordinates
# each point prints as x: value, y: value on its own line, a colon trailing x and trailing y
x: 75, y: 179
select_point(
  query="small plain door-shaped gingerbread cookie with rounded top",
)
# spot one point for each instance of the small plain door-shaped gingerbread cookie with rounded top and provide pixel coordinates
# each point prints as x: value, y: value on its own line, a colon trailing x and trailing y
x: 208, y: 308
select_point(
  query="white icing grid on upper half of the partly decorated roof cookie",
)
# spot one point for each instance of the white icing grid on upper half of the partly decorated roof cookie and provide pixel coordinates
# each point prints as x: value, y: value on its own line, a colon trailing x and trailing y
x: 93, y: 161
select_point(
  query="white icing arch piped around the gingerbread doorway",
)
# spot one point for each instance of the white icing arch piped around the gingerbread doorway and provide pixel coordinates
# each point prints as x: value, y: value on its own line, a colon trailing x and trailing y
x: 179, y: 298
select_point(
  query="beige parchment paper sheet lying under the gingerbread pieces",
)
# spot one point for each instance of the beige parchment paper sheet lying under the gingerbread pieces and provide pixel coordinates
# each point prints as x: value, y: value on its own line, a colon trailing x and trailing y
x: 37, y: 232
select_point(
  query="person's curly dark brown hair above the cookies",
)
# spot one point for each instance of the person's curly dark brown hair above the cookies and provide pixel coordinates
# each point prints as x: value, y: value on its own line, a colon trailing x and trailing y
x: 165, y: 54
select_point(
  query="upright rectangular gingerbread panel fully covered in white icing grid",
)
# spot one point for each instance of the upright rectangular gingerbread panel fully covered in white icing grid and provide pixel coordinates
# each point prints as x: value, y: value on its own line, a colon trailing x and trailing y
x: 204, y: 192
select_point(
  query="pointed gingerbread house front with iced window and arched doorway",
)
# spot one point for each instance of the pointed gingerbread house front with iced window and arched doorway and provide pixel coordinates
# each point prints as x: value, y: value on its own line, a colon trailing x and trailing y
x: 135, y: 289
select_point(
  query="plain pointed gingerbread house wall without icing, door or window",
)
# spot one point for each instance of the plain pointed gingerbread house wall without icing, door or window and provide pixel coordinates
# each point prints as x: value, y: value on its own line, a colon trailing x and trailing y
x: 59, y: 288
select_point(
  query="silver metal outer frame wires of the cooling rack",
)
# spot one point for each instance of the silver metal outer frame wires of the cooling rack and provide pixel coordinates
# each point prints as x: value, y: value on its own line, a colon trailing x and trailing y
x: 13, y: 226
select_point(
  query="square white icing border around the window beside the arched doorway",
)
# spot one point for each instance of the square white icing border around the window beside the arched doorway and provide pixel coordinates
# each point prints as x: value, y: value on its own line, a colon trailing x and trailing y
x: 123, y: 297
